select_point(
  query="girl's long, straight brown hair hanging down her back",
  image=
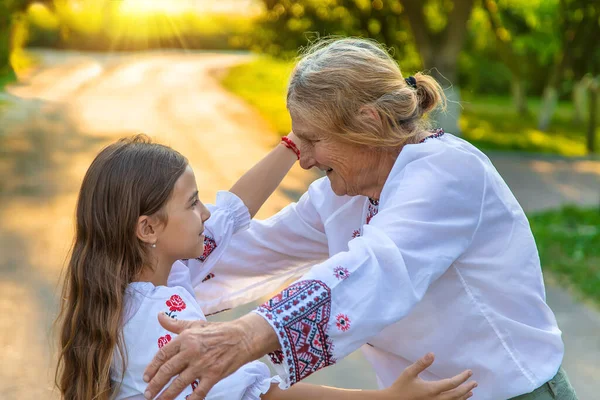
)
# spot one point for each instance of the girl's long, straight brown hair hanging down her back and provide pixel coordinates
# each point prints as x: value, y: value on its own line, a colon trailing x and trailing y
x: 130, y: 178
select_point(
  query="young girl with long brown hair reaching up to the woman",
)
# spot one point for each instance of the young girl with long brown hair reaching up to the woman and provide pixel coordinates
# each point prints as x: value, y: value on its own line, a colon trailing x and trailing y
x: 138, y: 213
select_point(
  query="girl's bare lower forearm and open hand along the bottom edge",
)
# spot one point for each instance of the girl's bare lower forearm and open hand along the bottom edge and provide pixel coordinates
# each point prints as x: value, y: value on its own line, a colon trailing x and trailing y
x: 407, y: 387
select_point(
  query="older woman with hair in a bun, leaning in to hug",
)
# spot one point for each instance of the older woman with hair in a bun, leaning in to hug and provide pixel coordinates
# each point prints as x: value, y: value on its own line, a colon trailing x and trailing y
x: 415, y: 241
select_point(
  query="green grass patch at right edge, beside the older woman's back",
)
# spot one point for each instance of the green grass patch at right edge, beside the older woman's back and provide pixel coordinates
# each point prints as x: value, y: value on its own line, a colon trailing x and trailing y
x: 568, y: 242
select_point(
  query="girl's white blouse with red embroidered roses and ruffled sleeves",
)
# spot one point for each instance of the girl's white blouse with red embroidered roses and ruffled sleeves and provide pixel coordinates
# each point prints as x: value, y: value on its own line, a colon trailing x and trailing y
x: 143, y: 335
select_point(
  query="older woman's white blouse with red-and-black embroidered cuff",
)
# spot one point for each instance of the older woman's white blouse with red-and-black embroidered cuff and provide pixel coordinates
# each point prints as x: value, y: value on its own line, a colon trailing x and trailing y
x: 444, y: 262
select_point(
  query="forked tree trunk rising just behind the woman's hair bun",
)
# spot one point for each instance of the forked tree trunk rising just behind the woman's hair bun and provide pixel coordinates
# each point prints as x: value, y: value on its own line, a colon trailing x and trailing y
x: 440, y: 46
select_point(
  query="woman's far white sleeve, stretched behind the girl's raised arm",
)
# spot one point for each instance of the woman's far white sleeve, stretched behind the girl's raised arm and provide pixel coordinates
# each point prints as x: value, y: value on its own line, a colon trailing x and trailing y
x: 261, y: 259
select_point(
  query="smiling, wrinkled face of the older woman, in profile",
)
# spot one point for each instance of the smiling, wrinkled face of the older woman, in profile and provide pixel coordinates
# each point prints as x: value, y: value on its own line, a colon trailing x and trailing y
x: 351, y: 169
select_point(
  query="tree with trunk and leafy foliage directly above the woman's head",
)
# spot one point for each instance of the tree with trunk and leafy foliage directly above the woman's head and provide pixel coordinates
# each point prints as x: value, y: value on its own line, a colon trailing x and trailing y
x: 438, y: 26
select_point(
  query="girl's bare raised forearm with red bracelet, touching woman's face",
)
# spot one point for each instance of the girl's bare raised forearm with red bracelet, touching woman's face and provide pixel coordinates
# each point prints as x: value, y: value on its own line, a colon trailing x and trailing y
x: 256, y: 185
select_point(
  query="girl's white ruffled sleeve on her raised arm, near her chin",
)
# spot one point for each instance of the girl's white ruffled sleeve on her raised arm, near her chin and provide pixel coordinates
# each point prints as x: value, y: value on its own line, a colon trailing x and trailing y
x: 229, y: 215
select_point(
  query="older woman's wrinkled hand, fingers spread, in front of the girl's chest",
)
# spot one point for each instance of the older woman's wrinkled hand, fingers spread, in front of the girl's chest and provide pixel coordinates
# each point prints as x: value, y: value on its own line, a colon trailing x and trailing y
x: 208, y: 351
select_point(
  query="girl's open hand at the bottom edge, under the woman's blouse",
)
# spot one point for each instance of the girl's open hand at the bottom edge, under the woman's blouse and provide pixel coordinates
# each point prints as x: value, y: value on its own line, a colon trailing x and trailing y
x: 410, y: 387
